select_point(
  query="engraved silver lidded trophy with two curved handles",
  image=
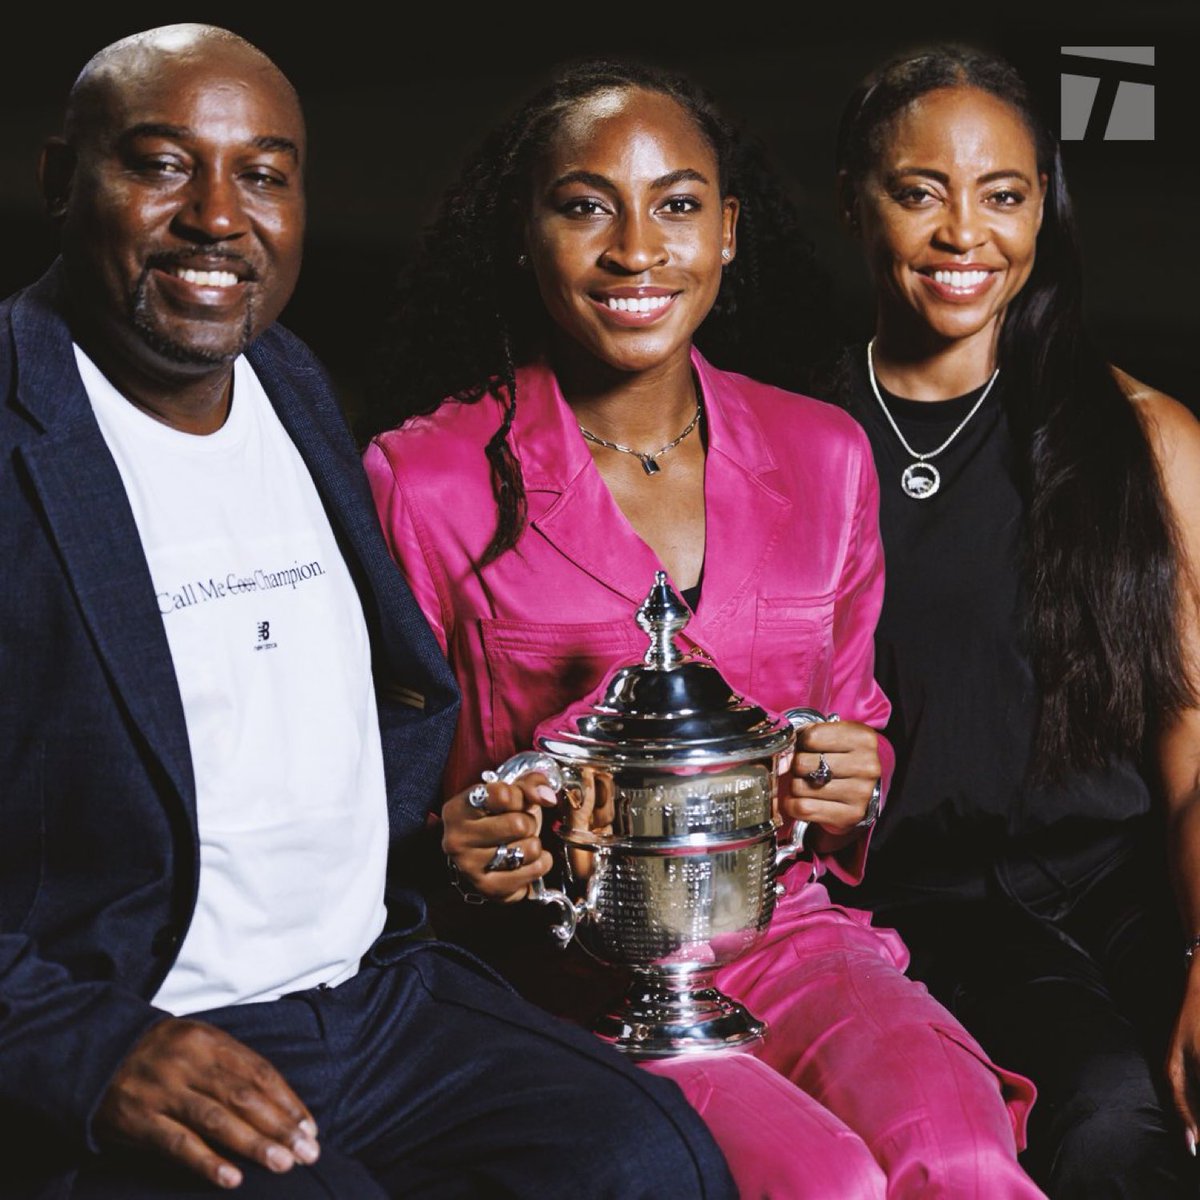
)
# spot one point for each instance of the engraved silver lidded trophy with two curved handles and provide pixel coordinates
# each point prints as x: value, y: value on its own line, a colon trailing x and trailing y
x: 680, y: 772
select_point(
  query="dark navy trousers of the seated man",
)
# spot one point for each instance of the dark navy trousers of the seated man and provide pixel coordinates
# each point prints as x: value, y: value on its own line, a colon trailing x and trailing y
x: 429, y: 1079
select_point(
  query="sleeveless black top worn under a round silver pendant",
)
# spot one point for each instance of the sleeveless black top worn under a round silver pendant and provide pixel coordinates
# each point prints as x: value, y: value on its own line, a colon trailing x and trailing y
x: 952, y: 658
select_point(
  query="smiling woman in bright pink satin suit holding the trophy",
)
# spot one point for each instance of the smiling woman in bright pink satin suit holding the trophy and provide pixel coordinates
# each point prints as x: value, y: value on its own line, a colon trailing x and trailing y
x: 591, y: 445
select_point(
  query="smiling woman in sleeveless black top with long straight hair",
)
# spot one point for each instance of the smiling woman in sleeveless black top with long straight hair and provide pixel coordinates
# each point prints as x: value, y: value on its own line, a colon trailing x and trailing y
x: 1041, y: 517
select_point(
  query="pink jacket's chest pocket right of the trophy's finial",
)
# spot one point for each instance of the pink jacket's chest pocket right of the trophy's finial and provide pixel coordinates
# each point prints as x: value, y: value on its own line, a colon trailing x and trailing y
x: 793, y: 661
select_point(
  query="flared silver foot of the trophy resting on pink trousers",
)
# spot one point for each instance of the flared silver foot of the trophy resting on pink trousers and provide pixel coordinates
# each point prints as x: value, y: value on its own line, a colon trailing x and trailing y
x: 670, y: 1013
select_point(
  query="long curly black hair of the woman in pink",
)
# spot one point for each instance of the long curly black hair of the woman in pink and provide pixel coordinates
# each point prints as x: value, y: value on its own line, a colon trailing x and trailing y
x: 469, y: 315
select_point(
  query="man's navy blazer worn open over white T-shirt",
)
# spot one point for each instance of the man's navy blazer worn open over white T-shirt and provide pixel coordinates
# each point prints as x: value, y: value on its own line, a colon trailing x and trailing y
x: 99, y: 851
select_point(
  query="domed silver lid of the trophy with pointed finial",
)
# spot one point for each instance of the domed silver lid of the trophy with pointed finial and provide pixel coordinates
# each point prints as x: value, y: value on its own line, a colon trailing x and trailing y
x: 669, y: 710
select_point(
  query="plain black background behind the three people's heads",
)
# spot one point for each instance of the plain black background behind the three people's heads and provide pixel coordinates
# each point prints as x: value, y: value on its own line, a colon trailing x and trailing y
x: 397, y: 97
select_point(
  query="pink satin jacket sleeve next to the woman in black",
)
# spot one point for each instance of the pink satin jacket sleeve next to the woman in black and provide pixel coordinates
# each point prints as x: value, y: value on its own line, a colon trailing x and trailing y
x: 860, y: 597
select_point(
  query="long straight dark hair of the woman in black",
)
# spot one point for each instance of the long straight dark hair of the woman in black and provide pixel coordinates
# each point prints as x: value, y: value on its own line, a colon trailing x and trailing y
x: 1102, y: 563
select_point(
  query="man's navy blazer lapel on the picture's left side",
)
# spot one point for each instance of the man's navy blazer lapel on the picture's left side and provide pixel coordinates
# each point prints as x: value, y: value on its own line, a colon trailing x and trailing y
x: 93, y: 526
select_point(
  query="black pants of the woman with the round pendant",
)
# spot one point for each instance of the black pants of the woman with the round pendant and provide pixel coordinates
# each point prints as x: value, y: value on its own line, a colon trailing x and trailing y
x: 1078, y: 988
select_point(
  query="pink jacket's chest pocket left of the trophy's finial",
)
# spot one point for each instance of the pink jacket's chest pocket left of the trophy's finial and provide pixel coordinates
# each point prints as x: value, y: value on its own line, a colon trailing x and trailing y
x: 536, y: 670
